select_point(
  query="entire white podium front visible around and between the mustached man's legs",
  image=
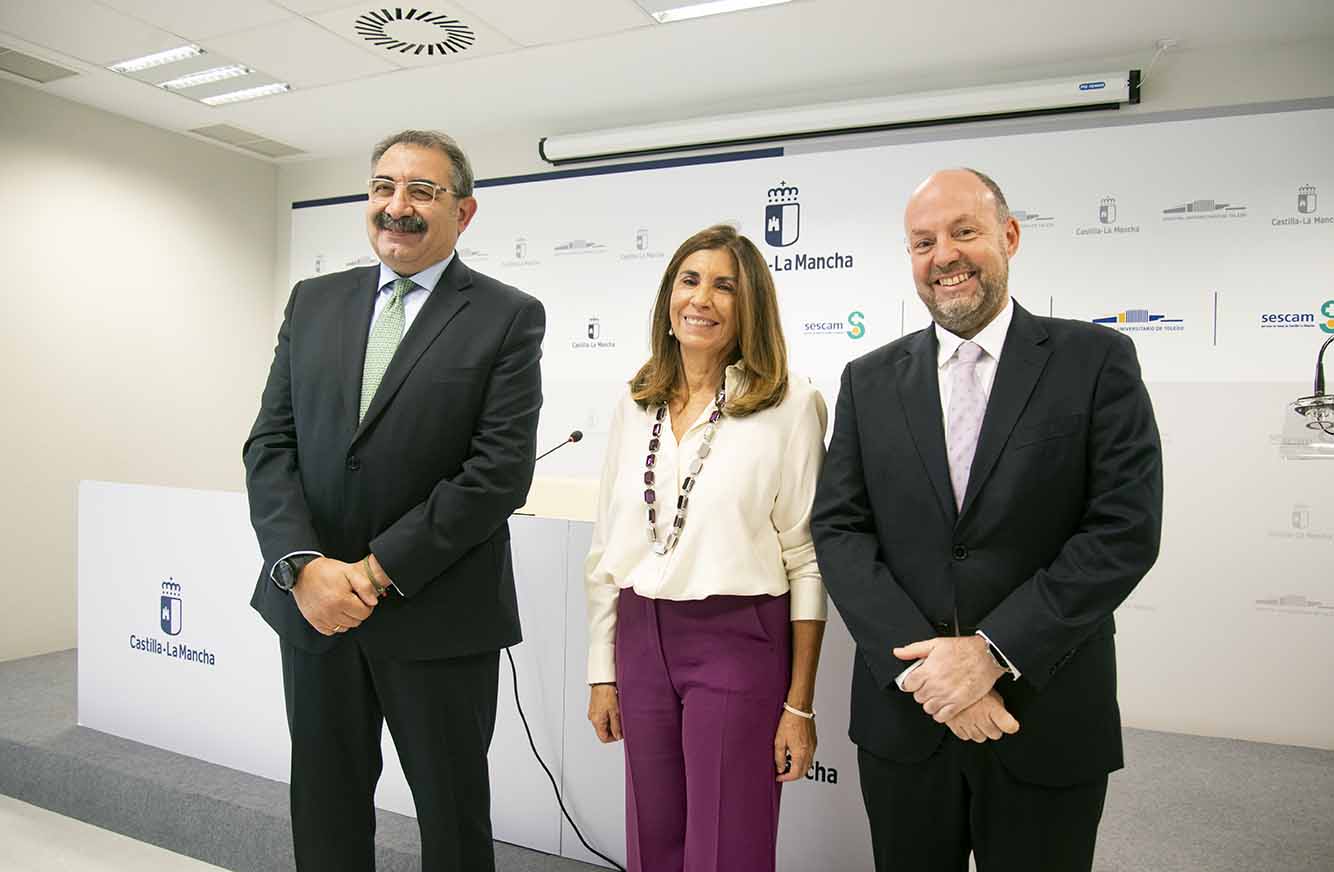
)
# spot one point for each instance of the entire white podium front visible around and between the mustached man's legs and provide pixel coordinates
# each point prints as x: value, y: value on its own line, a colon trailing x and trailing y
x: 173, y: 655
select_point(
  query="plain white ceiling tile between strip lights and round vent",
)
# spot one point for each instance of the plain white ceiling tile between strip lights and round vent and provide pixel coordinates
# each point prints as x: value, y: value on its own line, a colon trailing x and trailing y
x: 301, y: 54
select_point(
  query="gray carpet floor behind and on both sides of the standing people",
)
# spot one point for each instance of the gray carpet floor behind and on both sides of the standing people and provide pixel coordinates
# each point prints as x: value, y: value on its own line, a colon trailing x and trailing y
x: 1183, y: 805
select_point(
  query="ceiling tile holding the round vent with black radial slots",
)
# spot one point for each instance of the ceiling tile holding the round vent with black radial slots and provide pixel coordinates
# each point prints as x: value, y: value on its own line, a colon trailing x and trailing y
x: 417, y: 37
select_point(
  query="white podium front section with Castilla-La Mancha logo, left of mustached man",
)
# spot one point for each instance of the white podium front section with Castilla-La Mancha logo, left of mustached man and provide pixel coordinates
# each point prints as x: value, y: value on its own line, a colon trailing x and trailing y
x: 170, y: 653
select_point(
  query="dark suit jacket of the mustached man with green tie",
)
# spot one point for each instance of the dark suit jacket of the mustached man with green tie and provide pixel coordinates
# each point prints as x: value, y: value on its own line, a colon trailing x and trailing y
x: 426, y: 482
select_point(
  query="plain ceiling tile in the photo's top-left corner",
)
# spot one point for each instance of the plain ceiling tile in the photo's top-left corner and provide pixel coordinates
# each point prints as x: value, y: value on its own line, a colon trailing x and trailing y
x: 85, y: 30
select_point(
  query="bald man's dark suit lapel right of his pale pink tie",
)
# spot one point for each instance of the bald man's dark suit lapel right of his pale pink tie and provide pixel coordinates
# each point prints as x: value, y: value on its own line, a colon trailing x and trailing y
x: 1023, y: 362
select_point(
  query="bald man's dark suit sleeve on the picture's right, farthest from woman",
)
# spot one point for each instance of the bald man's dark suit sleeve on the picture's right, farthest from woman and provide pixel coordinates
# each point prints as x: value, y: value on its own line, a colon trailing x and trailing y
x: 1117, y: 542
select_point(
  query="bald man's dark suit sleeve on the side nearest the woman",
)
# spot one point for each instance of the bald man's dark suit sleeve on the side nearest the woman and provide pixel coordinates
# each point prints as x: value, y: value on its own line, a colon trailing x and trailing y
x: 873, y: 605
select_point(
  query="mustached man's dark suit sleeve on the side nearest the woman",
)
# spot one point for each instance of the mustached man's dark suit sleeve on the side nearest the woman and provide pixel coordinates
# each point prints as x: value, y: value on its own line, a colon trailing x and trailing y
x: 468, y: 509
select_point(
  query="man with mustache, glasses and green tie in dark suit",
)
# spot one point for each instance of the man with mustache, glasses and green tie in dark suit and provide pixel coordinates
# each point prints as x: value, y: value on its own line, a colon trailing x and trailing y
x: 396, y: 437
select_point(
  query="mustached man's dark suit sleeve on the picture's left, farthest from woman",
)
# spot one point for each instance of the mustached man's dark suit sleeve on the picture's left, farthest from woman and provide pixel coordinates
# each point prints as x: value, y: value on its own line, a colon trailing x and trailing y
x: 278, y: 506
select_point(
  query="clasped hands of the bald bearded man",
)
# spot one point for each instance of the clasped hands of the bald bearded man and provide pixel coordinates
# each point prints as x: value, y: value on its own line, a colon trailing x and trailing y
x: 954, y: 685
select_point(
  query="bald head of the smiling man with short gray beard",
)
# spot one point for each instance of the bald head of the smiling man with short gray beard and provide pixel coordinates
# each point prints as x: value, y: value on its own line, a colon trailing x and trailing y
x: 961, y: 238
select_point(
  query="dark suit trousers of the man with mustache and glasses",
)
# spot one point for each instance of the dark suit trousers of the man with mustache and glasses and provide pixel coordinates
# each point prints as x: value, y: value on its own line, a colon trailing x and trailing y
x: 441, y: 714
